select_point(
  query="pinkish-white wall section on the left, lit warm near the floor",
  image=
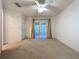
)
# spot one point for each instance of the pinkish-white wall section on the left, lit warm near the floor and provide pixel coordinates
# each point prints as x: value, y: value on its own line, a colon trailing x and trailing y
x: 13, y: 26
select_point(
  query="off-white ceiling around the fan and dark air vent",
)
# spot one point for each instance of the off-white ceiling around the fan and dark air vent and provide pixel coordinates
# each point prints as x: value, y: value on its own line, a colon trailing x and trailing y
x: 56, y: 7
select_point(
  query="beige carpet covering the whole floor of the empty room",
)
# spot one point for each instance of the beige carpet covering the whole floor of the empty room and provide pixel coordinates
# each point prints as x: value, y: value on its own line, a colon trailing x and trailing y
x: 31, y: 49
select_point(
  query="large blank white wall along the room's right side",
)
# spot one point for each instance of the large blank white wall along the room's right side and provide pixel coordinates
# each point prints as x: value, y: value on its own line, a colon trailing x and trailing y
x: 67, y: 26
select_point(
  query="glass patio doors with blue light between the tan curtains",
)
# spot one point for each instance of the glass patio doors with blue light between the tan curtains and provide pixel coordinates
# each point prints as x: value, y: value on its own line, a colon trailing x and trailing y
x: 40, y: 29
